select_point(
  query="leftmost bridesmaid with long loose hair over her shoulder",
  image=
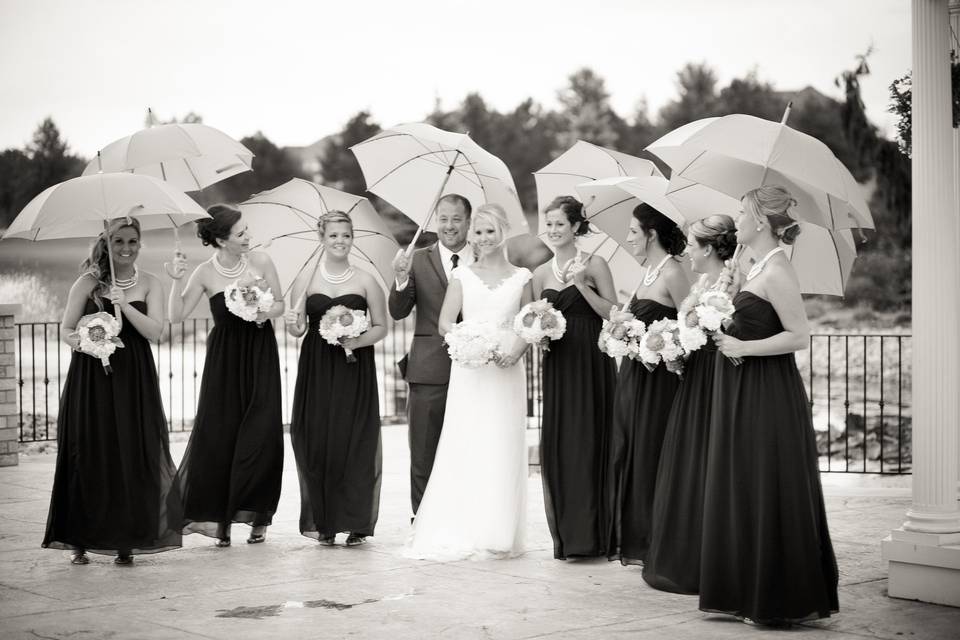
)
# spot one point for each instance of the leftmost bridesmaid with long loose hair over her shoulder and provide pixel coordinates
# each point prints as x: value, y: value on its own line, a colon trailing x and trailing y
x: 113, y: 490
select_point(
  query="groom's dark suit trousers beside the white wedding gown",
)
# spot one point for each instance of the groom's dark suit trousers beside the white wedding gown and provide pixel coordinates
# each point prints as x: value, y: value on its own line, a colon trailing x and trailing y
x: 425, y: 408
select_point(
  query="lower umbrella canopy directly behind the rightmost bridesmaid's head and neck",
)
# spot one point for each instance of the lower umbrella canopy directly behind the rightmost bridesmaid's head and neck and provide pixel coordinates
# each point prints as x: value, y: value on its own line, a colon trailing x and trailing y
x: 823, y: 259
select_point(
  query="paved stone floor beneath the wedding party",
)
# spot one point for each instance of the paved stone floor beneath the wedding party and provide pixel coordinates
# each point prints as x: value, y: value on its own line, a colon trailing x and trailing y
x: 292, y: 588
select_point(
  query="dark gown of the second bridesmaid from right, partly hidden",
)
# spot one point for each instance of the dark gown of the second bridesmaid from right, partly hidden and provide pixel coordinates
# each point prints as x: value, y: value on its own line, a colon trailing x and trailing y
x: 673, y: 561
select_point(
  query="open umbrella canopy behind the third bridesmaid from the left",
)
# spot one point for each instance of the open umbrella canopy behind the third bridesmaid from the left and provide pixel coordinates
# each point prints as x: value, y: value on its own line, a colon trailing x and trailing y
x: 284, y: 221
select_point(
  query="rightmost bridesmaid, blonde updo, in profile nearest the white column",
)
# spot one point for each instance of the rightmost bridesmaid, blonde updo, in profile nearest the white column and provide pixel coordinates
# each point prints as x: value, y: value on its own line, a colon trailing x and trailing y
x: 766, y: 551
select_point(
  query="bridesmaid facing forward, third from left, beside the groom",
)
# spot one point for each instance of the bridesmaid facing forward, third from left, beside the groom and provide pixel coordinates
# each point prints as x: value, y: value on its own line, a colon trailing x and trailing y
x: 335, y: 427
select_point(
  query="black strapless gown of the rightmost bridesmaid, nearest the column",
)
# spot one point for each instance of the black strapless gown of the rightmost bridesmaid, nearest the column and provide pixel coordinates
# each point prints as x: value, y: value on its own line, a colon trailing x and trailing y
x: 766, y: 553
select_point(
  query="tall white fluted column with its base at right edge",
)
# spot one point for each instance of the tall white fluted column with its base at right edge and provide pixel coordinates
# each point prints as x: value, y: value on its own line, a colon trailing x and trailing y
x: 924, y: 554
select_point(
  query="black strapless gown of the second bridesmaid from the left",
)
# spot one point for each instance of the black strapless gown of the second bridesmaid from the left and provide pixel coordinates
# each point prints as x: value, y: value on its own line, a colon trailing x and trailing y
x: 232, y: 468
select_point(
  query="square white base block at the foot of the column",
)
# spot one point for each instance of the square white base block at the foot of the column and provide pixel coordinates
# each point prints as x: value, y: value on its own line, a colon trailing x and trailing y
x: 923, y: 567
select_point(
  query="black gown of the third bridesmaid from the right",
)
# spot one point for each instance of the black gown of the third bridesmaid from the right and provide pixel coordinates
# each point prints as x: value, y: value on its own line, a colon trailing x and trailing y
x: 641, y: 407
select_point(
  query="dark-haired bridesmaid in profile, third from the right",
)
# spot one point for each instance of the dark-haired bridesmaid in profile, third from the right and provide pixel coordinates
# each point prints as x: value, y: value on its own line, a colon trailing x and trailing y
x: 643, y: 398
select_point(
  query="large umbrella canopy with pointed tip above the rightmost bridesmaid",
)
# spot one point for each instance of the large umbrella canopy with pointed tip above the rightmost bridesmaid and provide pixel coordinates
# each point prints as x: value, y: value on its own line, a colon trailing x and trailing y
x: 736, y: 153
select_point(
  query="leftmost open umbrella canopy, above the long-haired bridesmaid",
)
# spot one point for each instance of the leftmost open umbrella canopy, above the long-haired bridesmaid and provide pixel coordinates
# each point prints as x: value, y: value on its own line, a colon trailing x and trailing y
x: 78, y: 208
